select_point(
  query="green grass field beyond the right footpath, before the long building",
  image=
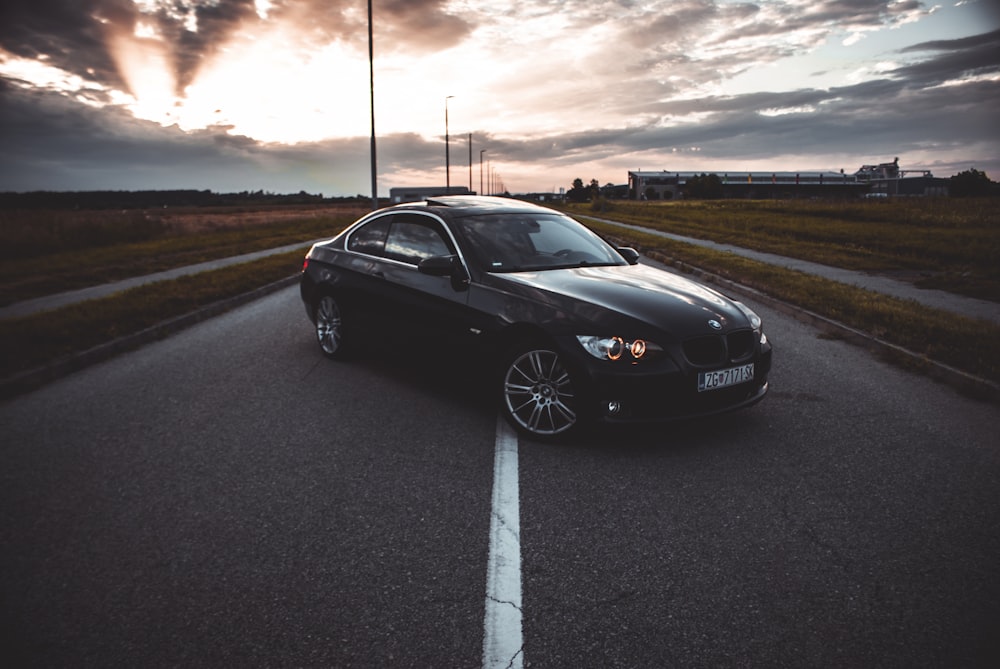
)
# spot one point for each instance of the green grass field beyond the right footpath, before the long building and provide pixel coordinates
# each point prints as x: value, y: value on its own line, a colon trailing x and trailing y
x: 947, y: 243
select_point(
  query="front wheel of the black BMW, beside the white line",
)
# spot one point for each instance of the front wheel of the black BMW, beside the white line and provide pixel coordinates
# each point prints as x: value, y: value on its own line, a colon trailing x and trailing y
x: 538, y: 396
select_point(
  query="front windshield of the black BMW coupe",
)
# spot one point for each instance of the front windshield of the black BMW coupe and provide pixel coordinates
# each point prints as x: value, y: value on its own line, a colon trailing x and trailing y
x: 531, y: 242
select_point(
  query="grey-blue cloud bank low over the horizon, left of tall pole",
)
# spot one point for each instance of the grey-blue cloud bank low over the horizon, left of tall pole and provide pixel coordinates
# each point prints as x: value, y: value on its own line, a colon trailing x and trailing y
x: 48, y: 143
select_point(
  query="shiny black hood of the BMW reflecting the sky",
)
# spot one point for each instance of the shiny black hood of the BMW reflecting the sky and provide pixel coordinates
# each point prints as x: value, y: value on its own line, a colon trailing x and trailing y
x: 678, y: 306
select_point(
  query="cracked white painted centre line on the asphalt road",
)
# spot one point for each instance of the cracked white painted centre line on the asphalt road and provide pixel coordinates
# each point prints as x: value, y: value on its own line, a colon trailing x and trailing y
x: 502, y: 641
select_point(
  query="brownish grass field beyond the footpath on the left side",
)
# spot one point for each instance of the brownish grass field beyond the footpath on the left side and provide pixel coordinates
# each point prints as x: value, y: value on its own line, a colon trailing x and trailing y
x: 46, y: 252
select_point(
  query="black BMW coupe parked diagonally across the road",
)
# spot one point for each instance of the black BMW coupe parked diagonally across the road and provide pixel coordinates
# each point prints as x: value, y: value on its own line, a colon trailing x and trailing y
x: 574, y: 329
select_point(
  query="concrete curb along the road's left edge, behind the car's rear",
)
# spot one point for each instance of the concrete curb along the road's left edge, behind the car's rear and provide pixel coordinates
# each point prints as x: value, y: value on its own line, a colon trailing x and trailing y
x: 35, y: 378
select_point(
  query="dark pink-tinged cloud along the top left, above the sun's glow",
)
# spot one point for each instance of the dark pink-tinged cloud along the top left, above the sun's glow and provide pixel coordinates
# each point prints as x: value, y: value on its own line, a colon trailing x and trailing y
x: 85, y: 38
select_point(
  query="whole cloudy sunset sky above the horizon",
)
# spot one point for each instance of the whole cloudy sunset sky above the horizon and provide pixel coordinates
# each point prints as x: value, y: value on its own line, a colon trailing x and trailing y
x: 274, y: 95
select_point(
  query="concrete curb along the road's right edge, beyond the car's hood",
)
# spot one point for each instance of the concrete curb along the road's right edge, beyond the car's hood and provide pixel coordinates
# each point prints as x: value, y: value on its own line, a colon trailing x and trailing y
x: 963, y: 382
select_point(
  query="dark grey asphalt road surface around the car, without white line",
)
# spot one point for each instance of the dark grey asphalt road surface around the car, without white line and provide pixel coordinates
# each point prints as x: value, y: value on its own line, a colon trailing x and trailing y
x: 227, y: 497
